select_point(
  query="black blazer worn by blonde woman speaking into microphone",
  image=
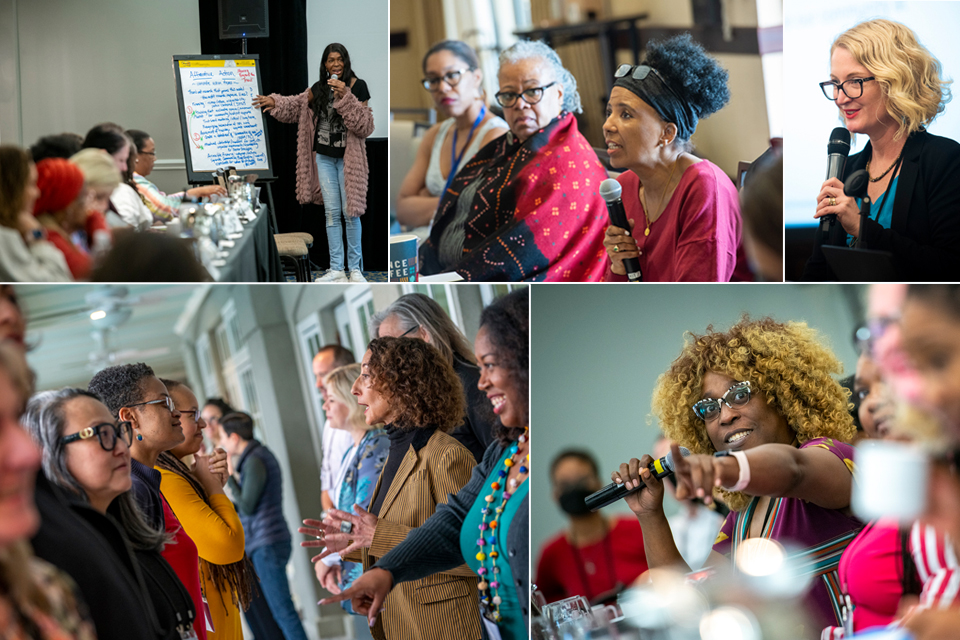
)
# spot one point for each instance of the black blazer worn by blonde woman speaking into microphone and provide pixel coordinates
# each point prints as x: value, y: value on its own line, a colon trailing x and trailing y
x: 924, y: 234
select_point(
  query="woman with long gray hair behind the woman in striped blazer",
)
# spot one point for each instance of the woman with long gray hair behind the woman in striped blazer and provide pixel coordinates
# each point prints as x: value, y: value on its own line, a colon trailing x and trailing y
x: 418, y: 316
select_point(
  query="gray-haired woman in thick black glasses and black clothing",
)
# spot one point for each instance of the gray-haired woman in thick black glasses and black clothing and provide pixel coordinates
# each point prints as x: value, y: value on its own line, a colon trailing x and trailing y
x: 86, y: 453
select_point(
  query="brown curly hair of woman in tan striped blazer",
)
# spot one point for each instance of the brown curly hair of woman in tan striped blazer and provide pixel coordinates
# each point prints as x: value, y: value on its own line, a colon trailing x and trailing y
x: 419, y: 382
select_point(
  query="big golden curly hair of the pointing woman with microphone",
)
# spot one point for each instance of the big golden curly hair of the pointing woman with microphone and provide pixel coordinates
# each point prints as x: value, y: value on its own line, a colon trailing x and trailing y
x: 784, y: 361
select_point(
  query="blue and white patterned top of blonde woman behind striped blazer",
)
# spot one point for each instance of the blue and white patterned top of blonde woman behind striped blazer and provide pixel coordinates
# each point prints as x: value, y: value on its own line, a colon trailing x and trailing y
x: 364, y: 462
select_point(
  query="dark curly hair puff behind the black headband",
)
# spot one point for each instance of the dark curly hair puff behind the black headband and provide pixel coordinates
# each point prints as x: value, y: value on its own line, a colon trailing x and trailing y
x: 694, y: 75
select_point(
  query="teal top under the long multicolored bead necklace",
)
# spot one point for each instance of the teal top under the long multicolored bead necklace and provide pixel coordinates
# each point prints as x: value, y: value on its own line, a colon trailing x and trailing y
x: 512, y: 626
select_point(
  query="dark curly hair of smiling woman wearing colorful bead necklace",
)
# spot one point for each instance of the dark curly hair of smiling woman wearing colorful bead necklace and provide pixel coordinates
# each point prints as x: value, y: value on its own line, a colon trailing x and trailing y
x: 507, y: 321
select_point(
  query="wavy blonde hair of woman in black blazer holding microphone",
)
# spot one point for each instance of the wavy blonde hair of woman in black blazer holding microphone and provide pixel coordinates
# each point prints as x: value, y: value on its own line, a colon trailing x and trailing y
x: 909, y: 75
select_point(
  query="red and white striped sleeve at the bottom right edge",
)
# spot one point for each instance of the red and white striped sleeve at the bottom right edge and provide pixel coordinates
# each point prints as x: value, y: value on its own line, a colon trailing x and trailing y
x: 937, y: 565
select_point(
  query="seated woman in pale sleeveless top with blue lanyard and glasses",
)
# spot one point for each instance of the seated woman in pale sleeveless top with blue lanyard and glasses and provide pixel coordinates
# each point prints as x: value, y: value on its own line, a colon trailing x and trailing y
x: 455, y: 82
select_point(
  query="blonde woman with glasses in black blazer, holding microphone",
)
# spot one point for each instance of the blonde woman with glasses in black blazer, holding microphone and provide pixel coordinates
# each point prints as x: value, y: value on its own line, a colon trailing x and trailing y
x: 888, y: 87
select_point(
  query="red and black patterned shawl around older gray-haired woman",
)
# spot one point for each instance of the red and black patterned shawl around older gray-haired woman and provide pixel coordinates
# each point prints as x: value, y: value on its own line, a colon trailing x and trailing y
x: 531, y: 211
